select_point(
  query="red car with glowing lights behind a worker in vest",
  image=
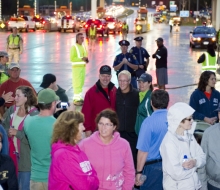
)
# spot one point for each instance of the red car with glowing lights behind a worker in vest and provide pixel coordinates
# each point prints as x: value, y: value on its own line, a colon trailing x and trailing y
x: 100, y: 24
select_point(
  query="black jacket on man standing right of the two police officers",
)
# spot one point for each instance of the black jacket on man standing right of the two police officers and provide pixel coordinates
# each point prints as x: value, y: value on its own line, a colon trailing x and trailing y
x: 161, y: 57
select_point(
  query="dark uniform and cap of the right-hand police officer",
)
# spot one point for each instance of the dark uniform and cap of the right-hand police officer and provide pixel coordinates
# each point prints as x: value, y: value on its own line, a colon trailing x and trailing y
x: 140, y: 53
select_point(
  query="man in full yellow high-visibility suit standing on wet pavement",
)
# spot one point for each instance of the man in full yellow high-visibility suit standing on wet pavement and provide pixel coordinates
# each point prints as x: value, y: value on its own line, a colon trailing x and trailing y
x: 79, y: 58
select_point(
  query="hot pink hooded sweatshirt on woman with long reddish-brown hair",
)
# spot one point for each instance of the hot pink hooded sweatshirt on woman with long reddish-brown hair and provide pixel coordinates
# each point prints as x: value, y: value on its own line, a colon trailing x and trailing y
x: 70, y: 169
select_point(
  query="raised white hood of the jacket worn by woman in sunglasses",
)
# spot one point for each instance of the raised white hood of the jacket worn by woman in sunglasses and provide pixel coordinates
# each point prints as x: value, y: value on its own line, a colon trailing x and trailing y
x: 176, y: 114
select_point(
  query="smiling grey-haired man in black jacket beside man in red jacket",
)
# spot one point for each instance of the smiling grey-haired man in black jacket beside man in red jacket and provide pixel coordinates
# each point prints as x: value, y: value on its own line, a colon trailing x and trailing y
x: 127, y: 101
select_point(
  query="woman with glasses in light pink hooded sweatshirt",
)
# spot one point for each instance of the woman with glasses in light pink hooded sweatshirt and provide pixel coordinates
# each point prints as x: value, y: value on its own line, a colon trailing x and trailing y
x: 110, y: 154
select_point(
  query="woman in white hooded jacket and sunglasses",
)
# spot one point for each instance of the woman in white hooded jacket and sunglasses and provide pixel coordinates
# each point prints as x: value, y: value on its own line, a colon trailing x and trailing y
x: 179, y: 141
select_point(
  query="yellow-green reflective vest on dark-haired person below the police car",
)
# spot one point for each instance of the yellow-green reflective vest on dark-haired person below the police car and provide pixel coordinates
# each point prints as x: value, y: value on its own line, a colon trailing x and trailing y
x: 210, y: 63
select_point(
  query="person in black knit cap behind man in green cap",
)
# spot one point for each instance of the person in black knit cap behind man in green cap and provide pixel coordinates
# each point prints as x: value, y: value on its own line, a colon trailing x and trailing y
x: 49, y: 81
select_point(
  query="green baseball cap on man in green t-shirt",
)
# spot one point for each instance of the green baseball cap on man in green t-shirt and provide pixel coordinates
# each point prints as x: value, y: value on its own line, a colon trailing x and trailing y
x: 47, y: 96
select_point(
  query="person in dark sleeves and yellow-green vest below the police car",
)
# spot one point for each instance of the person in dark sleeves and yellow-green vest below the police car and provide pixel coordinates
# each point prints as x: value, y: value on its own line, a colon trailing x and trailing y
x: 208, y: 59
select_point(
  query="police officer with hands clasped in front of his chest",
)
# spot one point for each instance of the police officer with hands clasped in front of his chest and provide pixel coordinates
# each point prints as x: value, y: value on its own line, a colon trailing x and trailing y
x: 126, y: 61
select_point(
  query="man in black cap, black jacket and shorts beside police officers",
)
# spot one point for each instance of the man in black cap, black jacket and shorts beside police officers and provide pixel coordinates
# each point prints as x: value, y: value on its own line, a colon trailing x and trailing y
x: 161, y: 64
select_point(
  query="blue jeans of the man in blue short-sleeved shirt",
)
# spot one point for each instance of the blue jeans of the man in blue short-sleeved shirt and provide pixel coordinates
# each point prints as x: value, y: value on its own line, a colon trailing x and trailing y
x: 154, y: 175
